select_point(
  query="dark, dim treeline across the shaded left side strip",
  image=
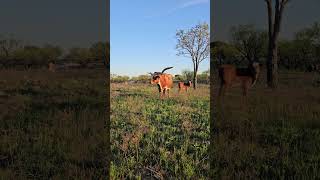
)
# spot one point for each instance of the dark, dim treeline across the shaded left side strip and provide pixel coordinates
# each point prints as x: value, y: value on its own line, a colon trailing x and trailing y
x: 15, y: 54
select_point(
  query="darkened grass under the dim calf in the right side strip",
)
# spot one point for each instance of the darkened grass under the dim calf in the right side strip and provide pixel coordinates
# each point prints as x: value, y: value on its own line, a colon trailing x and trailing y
x: 276, y: 135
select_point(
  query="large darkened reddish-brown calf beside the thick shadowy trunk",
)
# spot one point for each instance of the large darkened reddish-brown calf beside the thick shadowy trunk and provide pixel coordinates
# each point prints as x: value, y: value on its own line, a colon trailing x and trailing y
x: 231, y: 76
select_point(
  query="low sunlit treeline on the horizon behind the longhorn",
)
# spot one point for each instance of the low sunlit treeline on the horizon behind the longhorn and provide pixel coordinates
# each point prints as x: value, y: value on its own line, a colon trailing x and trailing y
x: 203, y: 78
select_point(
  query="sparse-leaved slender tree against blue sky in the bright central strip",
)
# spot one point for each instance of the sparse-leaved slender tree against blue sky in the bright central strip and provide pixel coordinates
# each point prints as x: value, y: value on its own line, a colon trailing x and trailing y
x: 194, y: 43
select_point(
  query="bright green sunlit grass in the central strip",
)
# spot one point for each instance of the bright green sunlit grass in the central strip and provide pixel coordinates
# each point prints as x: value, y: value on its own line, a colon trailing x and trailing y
x: 154, y: 138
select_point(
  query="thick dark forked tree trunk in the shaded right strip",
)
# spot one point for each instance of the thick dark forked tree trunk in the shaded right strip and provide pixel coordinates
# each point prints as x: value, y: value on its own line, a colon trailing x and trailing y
x: 274, y: 22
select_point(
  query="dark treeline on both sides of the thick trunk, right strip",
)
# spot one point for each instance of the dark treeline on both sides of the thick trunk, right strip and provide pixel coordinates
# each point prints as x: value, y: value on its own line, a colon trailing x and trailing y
x: 247, y: 44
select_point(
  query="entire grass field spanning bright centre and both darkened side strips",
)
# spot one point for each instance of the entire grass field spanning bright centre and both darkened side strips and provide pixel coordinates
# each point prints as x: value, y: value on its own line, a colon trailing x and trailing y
x: 52, y: 126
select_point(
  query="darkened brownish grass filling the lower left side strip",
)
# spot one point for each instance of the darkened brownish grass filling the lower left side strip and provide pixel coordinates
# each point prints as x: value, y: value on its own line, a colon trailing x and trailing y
x: 52, y: 125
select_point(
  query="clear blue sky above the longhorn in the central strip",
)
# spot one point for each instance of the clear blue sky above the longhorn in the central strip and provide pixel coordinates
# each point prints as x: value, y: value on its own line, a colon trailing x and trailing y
x: 142, y: 34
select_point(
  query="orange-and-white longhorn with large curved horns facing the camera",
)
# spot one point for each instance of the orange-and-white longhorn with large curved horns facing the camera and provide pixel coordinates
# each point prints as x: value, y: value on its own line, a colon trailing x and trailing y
x: 163, y: 80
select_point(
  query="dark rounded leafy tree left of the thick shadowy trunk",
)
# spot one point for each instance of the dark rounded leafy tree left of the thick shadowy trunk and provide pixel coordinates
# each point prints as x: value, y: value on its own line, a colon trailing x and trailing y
x: 249, y: 41
